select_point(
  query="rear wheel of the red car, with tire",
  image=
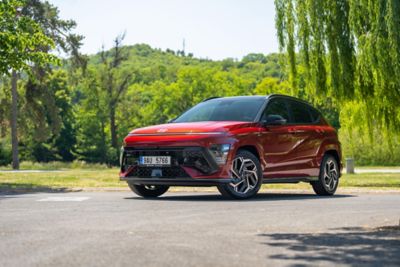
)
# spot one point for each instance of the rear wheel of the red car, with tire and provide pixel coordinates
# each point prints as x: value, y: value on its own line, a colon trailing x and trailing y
x: 328, y: 180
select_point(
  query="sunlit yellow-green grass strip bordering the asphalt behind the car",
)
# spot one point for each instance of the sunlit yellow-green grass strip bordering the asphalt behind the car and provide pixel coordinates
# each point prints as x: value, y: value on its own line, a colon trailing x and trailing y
x: 108, y: 178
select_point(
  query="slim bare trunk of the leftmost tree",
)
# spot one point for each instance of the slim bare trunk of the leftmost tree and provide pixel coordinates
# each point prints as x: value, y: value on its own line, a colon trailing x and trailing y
x: 14, y: 116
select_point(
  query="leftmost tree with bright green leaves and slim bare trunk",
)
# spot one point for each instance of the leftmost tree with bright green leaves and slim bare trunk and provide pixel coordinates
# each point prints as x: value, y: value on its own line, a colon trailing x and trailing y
x: 20, y: 39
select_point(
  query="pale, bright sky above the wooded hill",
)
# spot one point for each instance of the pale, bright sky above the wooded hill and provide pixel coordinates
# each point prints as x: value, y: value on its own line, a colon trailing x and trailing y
x: 214, y: 29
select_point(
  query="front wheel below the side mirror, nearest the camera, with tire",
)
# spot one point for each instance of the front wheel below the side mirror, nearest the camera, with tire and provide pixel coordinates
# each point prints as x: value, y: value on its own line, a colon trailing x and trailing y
x: 248, y: 181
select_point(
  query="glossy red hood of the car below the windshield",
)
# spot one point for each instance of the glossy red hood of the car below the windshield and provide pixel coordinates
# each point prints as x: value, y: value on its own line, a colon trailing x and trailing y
x: 208, y: 127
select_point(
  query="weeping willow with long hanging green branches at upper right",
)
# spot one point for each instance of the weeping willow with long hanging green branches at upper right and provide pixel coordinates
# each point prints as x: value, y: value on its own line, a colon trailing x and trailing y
x: 350, y: 51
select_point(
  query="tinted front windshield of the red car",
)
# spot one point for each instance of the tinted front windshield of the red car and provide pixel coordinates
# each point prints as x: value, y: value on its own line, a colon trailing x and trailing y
x: 223, y: 109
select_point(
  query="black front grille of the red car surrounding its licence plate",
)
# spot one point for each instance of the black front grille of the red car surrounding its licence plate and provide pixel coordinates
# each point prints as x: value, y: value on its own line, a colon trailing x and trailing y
x: 193, y: 157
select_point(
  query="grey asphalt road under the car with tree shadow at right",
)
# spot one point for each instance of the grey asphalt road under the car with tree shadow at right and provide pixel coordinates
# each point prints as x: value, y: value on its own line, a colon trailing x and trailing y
x: 198, y: 229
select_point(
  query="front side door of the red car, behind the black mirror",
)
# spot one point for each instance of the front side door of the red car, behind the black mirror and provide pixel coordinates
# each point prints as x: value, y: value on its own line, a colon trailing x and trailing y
x: 278, y: 141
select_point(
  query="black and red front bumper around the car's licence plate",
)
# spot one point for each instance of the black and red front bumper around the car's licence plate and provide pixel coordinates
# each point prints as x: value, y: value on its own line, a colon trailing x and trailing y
x: 189, y: 166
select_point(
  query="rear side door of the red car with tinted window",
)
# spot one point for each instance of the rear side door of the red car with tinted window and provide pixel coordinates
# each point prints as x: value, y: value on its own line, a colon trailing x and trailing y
x: 307, y: 136
